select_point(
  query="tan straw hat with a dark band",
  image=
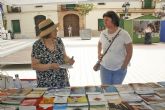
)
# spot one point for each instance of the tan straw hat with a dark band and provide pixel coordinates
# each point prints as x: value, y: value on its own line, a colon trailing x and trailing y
x: 46, y: 27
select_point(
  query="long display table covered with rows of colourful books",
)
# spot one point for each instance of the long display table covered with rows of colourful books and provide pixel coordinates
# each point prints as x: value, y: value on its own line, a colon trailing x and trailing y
x: 134, y: 96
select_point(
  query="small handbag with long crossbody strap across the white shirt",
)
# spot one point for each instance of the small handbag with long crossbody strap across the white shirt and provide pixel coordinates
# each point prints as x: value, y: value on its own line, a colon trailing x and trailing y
x: 96, y: 67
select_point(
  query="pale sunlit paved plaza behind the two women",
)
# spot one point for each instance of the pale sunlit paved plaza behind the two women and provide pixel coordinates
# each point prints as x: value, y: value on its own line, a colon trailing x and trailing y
x: 147, y: 64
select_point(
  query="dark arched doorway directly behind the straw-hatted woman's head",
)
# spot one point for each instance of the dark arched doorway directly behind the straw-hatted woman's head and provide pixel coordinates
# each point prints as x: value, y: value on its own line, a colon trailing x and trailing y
x: 37, y: 20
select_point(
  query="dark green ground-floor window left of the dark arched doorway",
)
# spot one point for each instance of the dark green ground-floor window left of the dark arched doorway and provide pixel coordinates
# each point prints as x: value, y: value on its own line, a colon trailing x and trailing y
x: 16, y: 26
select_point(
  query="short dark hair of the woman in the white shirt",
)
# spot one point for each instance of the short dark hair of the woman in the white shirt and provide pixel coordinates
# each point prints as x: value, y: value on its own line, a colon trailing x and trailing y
x: 115, y: 18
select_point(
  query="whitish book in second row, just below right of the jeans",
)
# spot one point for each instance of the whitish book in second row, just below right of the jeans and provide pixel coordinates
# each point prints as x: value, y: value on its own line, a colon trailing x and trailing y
x: 131, y: 98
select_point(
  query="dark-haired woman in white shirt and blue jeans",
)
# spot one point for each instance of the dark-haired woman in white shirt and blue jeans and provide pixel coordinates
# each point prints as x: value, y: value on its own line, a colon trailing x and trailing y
x: 114, y: 64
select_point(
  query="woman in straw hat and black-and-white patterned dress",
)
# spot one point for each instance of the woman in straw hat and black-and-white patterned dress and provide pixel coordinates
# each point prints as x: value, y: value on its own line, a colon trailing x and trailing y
x: 47, y: 54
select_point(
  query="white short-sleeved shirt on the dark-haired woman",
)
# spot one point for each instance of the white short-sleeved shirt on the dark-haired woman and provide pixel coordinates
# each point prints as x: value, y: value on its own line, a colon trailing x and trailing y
x: 116, y: 54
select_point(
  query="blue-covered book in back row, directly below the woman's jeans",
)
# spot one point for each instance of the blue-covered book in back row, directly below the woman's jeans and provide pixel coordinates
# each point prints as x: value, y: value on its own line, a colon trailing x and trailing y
x: 110, y: 89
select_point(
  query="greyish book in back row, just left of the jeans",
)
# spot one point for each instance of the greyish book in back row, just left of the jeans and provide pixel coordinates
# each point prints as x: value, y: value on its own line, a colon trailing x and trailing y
x: 93, y: 90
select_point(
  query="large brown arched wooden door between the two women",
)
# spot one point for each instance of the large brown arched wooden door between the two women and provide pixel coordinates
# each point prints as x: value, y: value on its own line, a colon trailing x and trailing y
x: 73, y: 21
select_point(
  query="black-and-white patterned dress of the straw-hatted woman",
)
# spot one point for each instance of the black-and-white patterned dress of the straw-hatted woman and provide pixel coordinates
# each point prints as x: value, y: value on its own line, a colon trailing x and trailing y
x: 50, y: 78
